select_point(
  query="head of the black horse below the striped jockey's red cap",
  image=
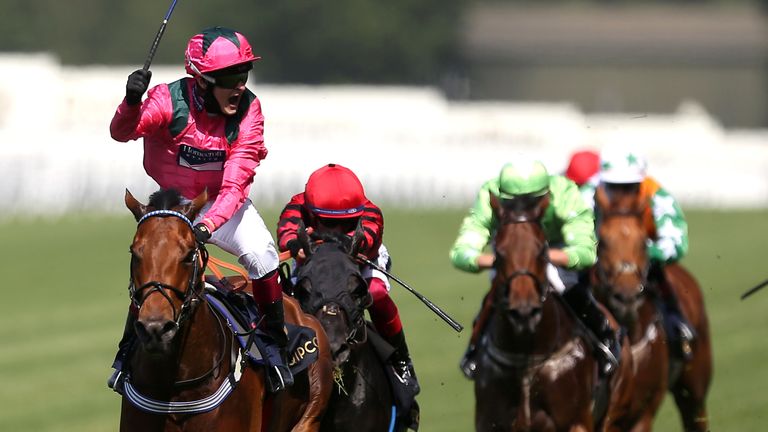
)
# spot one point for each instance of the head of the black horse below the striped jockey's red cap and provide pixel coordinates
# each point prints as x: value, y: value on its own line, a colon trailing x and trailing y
x: 330, y: 286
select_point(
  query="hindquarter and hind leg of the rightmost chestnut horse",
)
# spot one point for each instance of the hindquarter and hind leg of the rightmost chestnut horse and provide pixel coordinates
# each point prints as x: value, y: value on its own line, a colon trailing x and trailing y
x: 690, y: 389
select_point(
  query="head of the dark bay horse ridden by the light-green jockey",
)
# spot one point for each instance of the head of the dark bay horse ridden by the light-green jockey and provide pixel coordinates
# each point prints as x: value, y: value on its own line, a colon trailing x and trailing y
x: 520, y: 283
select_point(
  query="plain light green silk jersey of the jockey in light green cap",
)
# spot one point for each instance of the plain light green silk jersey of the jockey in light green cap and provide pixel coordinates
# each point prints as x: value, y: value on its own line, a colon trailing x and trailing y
x: 567, y: 221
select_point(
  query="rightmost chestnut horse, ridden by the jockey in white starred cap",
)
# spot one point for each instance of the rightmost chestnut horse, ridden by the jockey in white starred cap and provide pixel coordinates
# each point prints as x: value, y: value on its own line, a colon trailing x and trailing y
x: 620, y: 277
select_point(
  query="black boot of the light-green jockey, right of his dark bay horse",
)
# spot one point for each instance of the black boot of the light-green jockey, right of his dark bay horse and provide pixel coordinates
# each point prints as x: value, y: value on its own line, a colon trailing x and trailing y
x: 608, y: 348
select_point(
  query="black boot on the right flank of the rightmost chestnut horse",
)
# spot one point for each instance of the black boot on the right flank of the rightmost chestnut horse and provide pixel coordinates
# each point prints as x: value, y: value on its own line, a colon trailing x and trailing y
x: 679, y: 330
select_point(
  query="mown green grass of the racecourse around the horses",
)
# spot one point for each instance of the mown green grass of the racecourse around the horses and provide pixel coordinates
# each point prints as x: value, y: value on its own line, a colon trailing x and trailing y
x: 64, y: 300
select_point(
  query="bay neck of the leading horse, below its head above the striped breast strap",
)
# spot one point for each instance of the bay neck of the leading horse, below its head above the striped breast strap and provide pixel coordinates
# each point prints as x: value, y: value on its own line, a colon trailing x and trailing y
x: 198, y: 349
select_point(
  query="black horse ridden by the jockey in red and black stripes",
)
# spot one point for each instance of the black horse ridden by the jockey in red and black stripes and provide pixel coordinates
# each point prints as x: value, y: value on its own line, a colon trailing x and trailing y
x: 329, y: 285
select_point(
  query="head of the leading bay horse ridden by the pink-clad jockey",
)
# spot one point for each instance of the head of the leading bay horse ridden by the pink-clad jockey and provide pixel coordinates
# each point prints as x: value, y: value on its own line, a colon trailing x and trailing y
x: 166, y: 266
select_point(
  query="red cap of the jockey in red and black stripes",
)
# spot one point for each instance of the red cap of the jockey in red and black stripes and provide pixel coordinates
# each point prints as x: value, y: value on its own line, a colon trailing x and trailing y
x: 334, y: 191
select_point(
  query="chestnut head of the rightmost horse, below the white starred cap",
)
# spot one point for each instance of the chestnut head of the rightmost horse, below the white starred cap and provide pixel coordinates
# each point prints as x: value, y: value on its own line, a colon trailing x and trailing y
x: 622, y: 263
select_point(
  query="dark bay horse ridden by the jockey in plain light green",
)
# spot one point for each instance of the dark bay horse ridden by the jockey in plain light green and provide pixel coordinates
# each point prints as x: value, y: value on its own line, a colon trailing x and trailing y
x: 536, y: 370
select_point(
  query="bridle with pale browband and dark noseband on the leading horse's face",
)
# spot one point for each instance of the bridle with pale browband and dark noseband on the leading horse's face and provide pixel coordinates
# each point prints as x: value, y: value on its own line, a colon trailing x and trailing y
x: 191, y: 295
